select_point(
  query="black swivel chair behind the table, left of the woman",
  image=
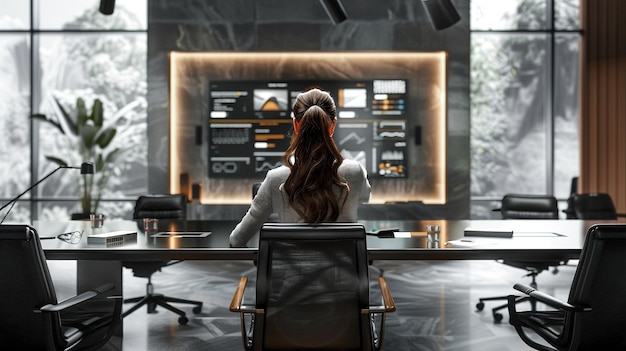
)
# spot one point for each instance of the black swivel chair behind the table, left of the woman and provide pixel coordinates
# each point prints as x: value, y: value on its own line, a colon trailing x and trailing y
x: 172, y: 207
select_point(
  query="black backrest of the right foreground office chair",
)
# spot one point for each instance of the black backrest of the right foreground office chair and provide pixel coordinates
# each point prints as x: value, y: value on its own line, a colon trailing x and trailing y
x: 599, y: 284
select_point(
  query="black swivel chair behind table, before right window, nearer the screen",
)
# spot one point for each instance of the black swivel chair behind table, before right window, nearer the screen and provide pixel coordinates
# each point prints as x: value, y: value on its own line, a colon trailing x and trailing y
x: 515, y: 206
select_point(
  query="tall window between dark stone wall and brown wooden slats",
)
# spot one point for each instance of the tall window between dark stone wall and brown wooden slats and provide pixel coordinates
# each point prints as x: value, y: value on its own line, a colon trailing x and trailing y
x: 524, y: 106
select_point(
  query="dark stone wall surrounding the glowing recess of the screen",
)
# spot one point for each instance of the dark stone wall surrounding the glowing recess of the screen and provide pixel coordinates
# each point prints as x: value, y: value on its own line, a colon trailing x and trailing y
x: 291, y: 26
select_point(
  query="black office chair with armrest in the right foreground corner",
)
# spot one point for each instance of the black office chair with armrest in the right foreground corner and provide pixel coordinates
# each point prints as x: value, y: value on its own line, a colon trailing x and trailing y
x: 594, y: 315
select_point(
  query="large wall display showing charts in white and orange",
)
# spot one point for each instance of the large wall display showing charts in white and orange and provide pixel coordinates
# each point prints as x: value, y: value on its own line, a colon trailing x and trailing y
x: 250, y: 124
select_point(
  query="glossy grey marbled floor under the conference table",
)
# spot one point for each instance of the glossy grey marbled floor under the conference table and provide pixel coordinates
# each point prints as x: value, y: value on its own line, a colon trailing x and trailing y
x: 435, y: 299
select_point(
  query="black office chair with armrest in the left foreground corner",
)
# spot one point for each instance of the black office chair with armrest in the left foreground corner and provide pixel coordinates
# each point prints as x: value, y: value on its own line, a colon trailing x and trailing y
x: 32, y: 318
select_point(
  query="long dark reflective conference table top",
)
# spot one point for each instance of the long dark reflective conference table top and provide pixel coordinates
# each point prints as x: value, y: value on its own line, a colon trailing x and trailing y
x: 532, y: 239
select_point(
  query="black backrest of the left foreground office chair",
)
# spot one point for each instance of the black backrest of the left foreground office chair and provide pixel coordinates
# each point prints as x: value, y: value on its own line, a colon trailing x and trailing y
x: 25, y: 285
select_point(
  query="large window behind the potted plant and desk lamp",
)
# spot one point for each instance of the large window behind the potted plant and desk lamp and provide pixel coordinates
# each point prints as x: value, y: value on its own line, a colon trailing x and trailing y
x: 75, y: 52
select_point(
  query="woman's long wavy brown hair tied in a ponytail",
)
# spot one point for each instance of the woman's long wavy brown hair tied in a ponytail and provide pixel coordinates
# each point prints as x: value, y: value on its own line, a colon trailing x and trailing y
x: 314, y: 159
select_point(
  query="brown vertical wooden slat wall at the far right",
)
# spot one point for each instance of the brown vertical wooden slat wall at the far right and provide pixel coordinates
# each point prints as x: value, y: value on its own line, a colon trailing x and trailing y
x: 603, y: 99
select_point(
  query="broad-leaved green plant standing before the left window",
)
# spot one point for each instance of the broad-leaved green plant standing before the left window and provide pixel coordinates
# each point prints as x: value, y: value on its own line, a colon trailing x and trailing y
x: 92, y: 138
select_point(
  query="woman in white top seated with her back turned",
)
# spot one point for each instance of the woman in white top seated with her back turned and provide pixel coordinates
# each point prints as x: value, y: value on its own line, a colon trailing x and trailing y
x: 315, y: 184
